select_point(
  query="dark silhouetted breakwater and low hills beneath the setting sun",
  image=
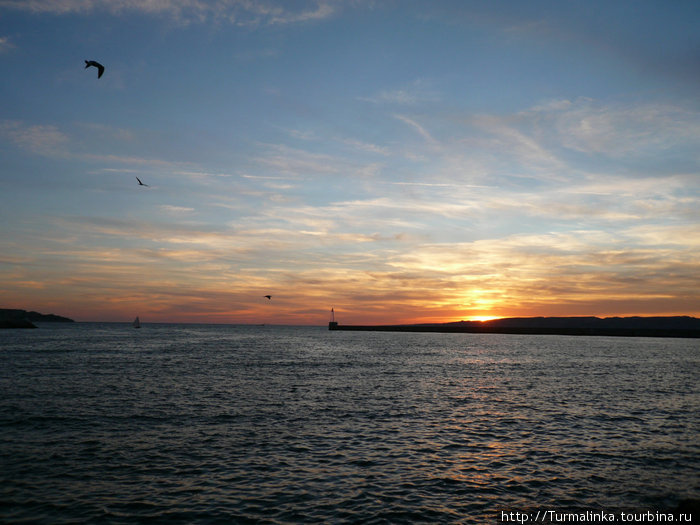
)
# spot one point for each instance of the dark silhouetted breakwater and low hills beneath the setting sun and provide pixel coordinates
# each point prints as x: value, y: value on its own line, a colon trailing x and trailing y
x: 683, y: 327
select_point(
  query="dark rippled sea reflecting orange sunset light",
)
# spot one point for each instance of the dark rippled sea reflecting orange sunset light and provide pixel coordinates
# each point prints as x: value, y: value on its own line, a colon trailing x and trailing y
x: 178, y: 423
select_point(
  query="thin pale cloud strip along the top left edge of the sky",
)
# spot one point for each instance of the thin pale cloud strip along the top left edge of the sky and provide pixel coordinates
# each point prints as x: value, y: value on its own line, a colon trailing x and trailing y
x: 240, y: 12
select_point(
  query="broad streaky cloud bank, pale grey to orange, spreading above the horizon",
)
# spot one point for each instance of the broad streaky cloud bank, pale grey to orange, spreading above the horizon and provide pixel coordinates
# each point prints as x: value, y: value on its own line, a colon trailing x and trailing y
x: 444, y: 239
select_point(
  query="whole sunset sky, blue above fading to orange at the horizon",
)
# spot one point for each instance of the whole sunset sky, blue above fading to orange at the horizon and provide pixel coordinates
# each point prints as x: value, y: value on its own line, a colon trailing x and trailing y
x: 398, y: 161
